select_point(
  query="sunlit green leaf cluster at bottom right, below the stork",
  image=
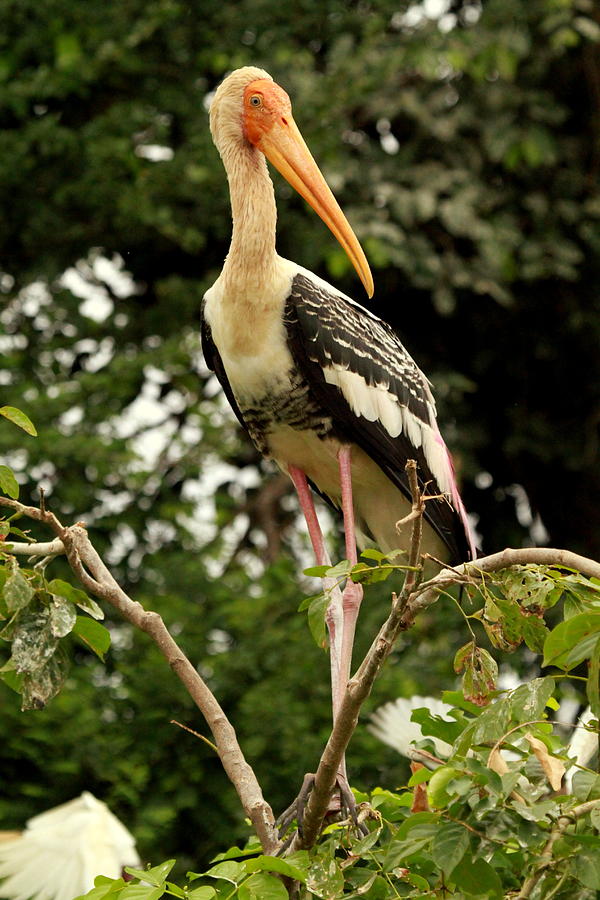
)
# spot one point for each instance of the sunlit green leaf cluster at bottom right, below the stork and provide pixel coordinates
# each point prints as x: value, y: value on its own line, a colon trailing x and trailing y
x: 480, y: 836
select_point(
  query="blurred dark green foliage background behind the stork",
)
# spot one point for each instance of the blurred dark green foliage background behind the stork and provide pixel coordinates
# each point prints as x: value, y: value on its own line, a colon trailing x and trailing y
x: 463, y: 143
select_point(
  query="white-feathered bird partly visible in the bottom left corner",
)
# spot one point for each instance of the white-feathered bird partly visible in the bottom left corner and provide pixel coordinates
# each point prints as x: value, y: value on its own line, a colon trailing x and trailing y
x: 62, y: 850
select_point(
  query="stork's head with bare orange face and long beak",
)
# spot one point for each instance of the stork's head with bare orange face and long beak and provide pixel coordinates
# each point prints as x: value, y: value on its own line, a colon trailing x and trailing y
x: 251, y: 112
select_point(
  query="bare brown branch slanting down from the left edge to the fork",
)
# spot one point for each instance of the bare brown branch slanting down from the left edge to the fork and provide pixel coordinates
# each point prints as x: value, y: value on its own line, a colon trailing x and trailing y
x: 96, y: 578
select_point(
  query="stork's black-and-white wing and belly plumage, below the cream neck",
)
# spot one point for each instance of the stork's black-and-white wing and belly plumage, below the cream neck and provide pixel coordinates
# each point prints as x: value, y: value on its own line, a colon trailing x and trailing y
x: 349, y: 380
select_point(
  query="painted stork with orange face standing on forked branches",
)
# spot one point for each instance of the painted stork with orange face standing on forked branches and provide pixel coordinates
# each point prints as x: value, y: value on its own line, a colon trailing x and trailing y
x: 322, y: 386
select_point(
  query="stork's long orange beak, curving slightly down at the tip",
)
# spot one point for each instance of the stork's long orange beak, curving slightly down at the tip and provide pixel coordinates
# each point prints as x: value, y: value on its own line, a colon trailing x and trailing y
x: 285, y: 148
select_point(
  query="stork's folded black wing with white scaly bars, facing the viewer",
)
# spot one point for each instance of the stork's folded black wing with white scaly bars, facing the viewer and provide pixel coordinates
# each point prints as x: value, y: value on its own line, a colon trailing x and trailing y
x: 325, y: 329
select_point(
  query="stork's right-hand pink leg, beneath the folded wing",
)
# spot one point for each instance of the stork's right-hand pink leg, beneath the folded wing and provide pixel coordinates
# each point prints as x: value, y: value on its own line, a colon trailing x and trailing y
x: 353, y: 593
